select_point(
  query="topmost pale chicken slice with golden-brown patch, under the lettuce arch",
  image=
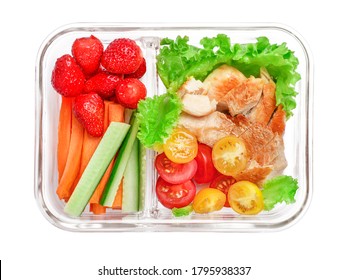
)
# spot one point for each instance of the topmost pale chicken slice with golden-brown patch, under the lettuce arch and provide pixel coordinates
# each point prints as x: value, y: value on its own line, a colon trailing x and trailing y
x: 221, y: 81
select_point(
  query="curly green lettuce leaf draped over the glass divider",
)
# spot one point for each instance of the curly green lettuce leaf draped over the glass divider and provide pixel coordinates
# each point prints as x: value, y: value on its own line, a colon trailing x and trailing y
x: 157, y: 117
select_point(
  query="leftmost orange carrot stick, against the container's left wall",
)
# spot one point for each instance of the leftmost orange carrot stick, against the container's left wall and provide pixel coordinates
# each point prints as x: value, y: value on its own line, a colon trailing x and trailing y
x: 64, y: 134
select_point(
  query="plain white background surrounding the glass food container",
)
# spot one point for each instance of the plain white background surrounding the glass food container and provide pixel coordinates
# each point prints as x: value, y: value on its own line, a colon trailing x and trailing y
x: 31, y: 248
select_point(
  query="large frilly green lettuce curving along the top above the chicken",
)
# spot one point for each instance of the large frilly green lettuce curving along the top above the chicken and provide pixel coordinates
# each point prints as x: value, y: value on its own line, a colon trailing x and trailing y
x: 179, y: 60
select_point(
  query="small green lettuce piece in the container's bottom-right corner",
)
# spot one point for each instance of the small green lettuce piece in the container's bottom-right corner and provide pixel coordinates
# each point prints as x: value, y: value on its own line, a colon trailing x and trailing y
x: 279, y: 189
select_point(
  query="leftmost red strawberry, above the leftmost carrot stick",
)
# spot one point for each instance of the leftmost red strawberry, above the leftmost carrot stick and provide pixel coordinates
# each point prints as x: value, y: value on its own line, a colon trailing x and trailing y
x: 67, y: 77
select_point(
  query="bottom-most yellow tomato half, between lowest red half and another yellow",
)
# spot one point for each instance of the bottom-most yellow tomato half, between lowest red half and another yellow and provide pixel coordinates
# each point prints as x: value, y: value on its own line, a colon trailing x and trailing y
x: 208, y: 200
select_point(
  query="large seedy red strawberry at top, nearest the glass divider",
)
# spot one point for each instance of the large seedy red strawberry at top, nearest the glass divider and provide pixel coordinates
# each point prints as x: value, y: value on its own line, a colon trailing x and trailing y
x: 122, y: 56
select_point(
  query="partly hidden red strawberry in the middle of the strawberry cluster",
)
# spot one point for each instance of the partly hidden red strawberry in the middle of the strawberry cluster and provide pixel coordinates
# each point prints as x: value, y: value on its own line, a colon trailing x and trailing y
x: 102, y: 83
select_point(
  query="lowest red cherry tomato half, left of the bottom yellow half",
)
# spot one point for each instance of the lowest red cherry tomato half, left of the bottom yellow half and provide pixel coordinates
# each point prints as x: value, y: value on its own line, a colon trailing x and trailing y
x: 175, y: 195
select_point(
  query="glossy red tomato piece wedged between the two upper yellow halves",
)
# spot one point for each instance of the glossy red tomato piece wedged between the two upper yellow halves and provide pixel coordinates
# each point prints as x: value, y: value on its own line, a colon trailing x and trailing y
x: 205, y: 167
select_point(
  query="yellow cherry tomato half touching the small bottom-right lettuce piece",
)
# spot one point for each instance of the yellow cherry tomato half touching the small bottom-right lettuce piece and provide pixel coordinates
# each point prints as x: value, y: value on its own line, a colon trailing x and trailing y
x: 245, y: 198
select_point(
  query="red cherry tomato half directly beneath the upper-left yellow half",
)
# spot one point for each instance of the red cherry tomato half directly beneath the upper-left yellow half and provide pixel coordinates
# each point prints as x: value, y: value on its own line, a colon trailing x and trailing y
x: 175, y: 173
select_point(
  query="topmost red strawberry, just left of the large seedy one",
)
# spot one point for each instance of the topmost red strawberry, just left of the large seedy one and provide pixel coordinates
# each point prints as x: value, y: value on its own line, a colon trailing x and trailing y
x: 87, y: 52
